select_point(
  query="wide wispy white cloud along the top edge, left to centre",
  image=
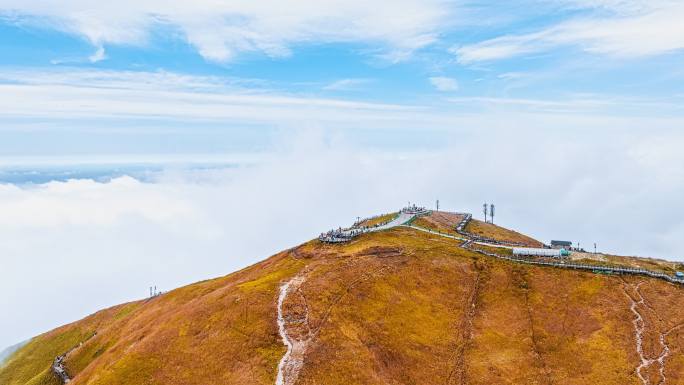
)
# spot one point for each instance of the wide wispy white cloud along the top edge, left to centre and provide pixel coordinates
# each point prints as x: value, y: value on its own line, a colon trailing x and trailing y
x: 221, y: 29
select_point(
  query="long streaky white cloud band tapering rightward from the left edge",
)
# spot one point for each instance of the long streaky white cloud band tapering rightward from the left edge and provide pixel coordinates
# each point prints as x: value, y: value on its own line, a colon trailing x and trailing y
x: 80, y: 94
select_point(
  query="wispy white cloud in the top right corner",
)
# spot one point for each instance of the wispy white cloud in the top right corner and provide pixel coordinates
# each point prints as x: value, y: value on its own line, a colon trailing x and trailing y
x: 634, y: 28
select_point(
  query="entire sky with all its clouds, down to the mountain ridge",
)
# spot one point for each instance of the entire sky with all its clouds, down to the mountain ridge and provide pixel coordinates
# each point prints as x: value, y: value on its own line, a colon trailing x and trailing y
x: 153, y: 142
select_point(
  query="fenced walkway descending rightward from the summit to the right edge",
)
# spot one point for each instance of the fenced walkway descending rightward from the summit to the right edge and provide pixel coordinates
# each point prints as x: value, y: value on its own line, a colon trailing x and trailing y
x: 564, y: 265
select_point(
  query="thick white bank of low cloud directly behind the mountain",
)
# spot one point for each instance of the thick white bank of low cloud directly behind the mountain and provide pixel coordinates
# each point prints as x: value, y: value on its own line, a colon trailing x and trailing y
x: 98, y: 244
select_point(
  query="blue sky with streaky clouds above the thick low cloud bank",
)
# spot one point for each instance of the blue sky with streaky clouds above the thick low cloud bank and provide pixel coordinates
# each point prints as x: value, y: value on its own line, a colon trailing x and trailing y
x: 451, y: 60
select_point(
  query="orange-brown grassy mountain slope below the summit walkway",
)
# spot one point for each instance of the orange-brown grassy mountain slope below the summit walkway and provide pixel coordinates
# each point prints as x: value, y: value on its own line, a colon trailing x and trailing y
x: 393, y: 307
